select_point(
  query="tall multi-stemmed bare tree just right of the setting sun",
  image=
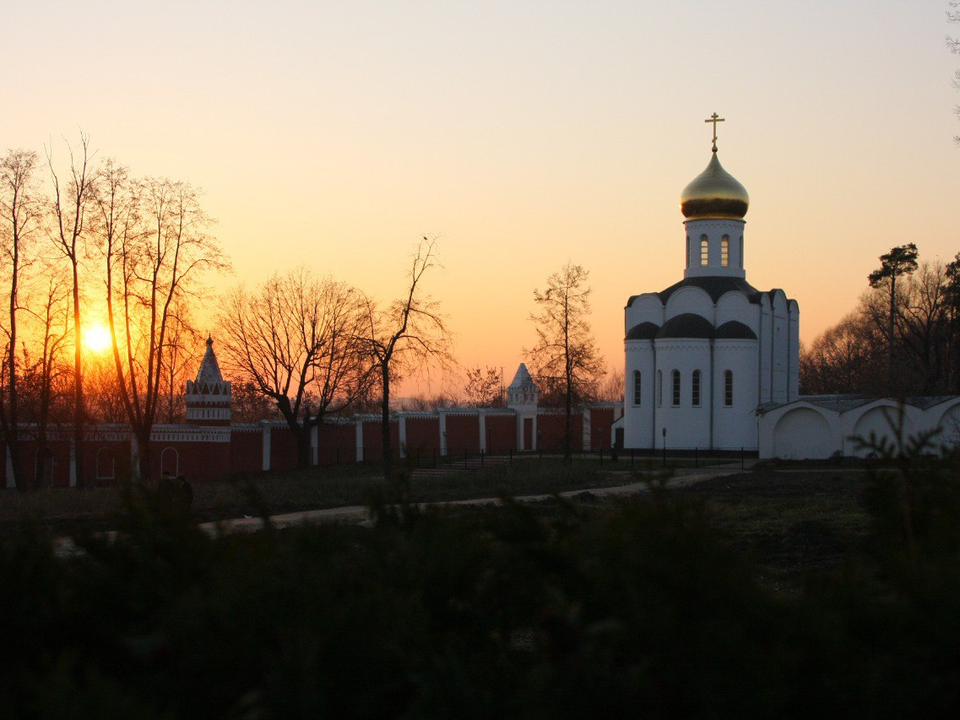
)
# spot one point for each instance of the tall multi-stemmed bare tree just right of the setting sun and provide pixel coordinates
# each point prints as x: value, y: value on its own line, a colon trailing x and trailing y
x: 155, y: 245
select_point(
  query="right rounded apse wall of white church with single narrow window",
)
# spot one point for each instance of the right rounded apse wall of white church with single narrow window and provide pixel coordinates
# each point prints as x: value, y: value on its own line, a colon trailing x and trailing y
x: 735, y: 425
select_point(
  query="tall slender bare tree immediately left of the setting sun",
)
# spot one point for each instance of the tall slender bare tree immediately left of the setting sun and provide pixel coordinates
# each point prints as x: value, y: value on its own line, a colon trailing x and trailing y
x: 69, y: 206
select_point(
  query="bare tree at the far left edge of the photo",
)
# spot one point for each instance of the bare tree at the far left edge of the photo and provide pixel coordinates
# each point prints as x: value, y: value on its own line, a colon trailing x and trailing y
x: 19, y: 220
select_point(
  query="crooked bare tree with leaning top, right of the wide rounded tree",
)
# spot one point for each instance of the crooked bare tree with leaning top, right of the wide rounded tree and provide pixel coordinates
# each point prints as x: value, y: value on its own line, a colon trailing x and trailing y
x: 410, y: 332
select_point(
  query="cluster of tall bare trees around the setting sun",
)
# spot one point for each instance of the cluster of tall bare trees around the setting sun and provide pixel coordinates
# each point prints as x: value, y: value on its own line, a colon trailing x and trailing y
x: 84, y: 236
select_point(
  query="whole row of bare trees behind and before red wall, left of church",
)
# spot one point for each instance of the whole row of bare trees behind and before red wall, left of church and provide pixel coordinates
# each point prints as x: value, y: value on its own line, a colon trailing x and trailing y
x: 83, y: 237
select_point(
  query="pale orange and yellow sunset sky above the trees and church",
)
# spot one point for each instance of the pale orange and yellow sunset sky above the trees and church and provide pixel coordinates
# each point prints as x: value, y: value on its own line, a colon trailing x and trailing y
x: 524, y: 134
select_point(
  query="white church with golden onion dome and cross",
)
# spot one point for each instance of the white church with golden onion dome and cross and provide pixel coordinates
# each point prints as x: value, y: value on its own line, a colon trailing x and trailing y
x: 702, y: 355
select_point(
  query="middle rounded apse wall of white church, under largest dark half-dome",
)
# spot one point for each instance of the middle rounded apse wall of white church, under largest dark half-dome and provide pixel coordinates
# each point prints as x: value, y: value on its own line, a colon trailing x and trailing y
x: 687, y: 425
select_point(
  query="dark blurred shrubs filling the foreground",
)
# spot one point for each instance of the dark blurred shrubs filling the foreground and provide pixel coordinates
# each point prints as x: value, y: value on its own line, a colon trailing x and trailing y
x: 635, y: 609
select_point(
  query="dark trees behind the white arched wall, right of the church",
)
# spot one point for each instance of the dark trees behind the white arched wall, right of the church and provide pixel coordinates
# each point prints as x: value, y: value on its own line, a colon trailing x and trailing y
x: 903, y: 338
